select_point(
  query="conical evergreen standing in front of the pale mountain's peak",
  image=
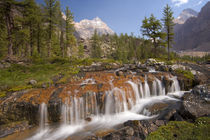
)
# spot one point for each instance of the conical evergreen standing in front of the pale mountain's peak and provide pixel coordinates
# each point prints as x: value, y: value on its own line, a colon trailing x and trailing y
x: 96, y: 51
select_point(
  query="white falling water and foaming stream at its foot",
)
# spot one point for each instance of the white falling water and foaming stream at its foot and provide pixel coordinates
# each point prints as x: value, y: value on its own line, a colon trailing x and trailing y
x: 119, y: 107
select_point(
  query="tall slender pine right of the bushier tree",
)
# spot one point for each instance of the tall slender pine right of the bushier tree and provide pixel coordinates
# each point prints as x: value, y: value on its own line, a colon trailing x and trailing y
x: 168, y: 25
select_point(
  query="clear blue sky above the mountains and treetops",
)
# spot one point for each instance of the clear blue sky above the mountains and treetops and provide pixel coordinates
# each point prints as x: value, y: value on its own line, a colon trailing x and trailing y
x: 125, y: 16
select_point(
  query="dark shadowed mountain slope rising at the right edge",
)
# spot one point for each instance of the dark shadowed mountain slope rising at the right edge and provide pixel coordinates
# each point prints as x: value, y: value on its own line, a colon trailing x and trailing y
x: 194, y: 33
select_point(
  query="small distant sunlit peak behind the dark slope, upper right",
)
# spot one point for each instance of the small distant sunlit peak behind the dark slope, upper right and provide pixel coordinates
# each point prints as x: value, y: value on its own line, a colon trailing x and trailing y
x: 185, y: 15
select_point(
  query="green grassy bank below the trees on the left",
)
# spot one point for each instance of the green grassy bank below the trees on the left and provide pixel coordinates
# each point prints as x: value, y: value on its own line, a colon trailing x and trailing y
x: 17, y: 77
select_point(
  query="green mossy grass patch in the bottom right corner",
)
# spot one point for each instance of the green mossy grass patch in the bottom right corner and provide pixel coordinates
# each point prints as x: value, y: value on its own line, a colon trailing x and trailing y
x: 200, y: 130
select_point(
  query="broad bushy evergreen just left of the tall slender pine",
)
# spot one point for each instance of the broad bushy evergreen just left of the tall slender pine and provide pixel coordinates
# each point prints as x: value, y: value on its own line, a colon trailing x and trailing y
x: 151, y: 27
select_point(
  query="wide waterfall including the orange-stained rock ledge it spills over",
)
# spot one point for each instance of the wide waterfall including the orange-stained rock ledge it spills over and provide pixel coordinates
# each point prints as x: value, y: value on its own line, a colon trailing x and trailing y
x: 99, y: 111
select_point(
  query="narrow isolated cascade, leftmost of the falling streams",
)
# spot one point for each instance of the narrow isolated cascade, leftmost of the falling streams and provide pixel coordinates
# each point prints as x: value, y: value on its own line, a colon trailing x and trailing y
x: 43, y: 116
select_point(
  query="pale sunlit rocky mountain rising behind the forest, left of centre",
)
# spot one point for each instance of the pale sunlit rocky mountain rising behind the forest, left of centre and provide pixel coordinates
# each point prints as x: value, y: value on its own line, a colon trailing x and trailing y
x: 85, y: 28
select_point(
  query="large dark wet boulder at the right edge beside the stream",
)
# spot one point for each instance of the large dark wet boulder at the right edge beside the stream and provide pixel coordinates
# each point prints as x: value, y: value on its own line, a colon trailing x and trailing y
x: 195, y: 103
